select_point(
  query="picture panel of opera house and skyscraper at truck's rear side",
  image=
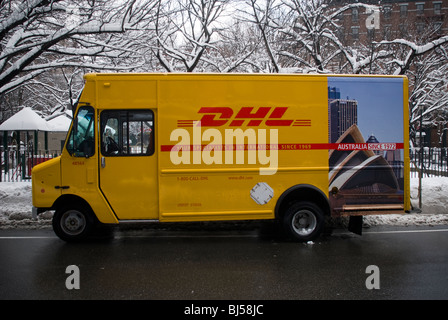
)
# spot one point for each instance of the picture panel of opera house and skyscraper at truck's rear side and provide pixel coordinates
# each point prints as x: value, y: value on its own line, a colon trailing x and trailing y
x: 366, y: 133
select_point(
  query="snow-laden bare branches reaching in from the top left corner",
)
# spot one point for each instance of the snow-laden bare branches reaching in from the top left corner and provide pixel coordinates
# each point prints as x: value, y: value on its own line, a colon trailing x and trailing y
x: 38, y: 35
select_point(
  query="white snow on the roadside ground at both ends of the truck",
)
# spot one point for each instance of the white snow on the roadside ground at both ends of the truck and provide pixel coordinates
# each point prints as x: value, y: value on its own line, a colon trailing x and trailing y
x: 16, y: 203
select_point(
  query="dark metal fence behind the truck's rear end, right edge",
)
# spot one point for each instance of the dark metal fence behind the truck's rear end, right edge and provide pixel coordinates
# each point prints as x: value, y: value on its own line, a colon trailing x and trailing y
x: 432, y: 162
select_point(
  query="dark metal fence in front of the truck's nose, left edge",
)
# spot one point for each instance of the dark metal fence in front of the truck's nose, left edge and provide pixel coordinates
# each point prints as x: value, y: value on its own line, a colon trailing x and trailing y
x: 16, y: 163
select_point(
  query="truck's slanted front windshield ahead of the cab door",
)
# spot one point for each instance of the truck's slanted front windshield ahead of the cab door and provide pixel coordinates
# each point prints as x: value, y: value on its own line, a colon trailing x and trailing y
x: 81, y: 142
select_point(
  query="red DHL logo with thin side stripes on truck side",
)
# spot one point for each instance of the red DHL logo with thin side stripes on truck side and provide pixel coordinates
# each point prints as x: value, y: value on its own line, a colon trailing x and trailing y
x: 249, y: 116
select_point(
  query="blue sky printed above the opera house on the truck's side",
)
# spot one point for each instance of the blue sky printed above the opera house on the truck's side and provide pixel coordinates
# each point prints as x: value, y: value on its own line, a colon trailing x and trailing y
x: 380, y: 105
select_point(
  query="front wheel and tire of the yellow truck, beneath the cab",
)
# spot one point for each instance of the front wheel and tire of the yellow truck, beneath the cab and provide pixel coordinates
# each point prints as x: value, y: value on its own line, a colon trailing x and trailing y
x: 73, y: 223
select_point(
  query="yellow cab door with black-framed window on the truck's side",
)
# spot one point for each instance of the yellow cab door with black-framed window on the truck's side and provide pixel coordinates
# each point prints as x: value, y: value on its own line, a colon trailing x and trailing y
x: 128, y: 175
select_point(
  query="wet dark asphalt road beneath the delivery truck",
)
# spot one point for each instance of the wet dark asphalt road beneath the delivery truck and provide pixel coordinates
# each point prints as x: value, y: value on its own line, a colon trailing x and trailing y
x: 212, y: 263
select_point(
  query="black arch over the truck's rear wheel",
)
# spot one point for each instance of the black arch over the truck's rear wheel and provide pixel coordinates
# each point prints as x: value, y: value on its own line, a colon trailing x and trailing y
x: 301, y: 192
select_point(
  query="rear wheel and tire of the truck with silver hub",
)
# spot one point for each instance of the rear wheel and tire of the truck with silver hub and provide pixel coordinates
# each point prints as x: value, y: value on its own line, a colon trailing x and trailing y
x: 303, y: 221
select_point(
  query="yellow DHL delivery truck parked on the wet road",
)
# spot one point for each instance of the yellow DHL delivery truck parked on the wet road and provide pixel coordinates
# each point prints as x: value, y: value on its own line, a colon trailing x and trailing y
x: 209, y: 147
